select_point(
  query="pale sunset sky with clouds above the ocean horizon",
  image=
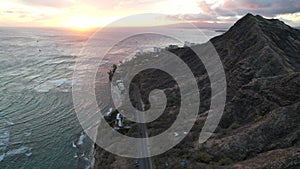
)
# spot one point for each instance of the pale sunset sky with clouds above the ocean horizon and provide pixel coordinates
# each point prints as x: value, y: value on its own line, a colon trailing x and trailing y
x: 98, y: 13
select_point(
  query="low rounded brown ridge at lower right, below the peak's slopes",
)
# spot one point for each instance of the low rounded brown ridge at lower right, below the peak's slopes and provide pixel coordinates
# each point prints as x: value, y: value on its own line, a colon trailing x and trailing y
x: 278, y: 129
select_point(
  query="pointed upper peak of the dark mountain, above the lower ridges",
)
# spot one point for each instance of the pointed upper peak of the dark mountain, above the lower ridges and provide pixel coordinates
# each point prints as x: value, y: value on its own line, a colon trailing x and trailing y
x: 256, y: 47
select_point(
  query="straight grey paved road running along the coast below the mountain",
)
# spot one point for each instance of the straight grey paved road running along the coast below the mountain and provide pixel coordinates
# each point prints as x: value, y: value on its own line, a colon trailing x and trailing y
x: 142, y: 163
